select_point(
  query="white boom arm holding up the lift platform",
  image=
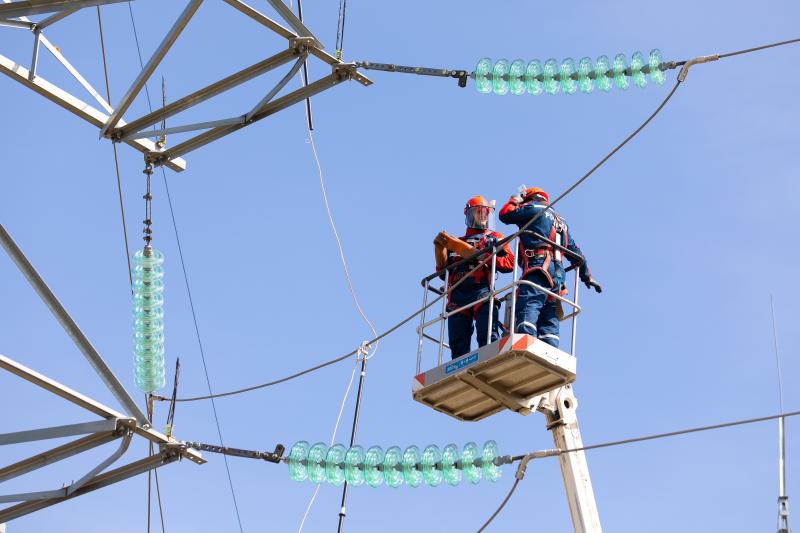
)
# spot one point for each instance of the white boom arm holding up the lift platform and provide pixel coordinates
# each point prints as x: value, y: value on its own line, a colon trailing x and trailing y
x: 559, y: 410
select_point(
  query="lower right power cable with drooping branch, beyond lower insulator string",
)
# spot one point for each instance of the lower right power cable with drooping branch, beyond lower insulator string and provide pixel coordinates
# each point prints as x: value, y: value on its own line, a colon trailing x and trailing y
x: 524, y: 459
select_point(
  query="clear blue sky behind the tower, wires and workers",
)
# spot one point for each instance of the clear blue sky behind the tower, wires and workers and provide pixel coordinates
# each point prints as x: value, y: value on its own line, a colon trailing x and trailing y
x: 690, y: 228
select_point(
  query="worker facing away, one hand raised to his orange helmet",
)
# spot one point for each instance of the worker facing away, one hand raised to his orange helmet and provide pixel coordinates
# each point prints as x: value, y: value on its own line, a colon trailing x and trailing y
x: 542, y: 262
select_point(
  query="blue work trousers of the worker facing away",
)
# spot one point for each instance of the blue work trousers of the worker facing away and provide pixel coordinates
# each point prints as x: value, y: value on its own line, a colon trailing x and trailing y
x: 535, y: 314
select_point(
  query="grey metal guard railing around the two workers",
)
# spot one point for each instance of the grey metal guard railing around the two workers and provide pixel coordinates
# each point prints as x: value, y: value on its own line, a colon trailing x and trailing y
x: 505, y: 294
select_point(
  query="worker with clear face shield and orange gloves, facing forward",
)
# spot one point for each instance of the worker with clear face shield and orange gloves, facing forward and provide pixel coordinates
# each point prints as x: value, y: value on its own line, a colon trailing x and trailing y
x: 449, y: 251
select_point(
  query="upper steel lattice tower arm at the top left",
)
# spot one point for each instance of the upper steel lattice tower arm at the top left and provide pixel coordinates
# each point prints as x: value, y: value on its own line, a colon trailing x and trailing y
x: 302, y: 43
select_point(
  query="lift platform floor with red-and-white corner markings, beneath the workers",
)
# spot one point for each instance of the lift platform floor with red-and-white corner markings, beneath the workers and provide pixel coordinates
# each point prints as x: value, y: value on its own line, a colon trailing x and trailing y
x: 510, y: 373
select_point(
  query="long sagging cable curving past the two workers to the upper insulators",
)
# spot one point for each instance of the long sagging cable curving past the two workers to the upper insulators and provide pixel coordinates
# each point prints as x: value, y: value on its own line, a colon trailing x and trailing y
x: 451, y: 288
